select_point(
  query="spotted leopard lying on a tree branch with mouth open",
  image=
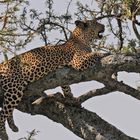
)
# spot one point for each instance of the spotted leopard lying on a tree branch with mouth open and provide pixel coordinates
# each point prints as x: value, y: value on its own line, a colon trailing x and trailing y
x: 17, y: 72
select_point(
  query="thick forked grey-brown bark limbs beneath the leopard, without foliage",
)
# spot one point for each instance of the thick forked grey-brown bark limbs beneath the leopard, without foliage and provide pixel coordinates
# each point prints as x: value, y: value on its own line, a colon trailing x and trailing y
x: 68, y: 111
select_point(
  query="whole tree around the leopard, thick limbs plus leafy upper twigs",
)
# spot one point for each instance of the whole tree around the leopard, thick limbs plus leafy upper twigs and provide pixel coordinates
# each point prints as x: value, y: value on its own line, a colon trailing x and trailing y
x: 20, y: 25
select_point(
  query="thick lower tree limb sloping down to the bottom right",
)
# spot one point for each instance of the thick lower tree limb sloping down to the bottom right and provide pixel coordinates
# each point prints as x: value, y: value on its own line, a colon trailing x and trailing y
x: 83, y: 123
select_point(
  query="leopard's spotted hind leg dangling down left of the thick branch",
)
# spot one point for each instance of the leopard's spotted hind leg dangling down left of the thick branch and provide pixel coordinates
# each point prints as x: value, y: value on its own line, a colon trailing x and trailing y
x: 11, y: 100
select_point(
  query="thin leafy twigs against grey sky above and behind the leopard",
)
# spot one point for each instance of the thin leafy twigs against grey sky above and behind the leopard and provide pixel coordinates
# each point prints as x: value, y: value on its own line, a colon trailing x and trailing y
x: 19, y: 23
